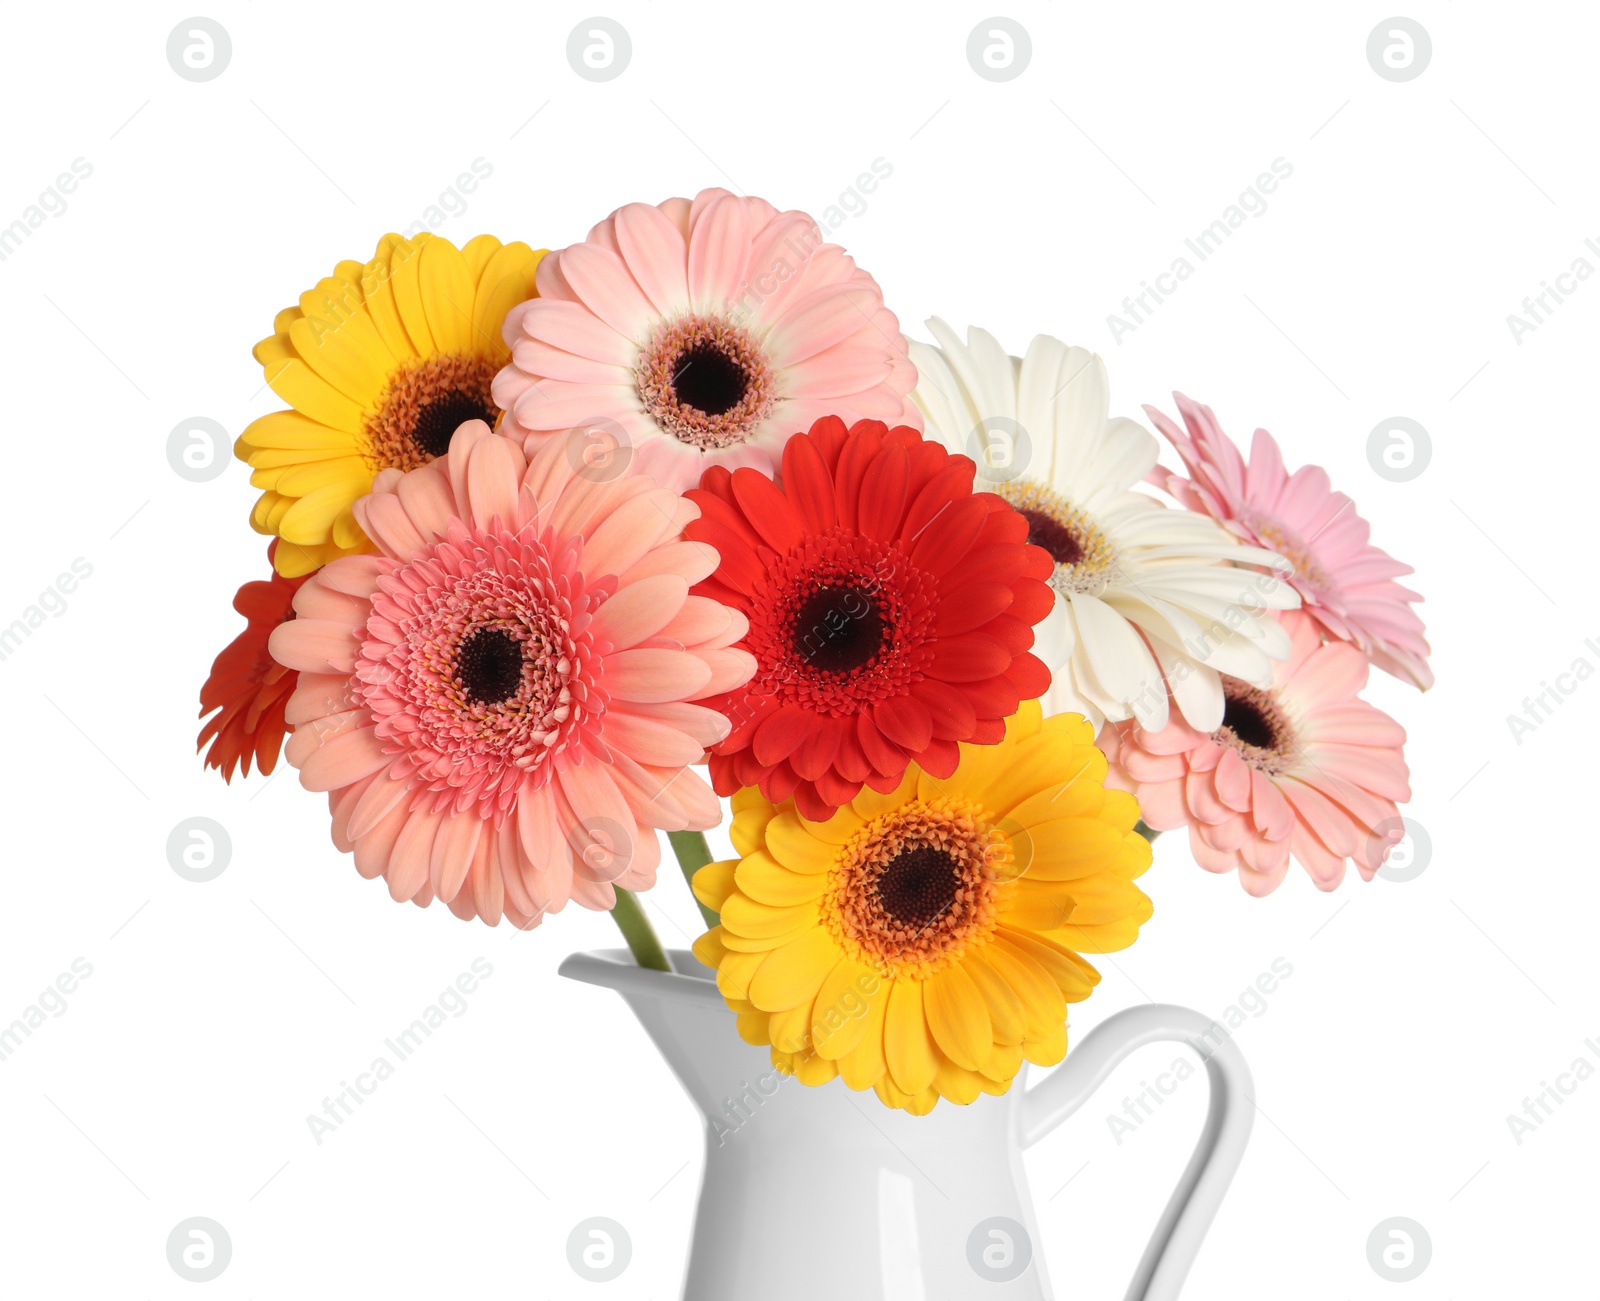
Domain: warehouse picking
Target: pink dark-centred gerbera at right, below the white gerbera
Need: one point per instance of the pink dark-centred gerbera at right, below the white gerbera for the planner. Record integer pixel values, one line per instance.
(1300, 769)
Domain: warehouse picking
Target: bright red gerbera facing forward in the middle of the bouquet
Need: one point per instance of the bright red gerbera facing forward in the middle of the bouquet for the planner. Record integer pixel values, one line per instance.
(890, 610)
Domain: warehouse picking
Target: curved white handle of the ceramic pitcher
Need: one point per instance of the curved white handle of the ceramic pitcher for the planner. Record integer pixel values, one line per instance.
(1217, 1156)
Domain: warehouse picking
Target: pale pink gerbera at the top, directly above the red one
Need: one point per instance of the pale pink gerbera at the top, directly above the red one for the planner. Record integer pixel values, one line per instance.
(703, 334)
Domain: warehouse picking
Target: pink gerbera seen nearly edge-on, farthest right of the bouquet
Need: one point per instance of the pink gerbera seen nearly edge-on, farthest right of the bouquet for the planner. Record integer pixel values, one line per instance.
(1345, 582)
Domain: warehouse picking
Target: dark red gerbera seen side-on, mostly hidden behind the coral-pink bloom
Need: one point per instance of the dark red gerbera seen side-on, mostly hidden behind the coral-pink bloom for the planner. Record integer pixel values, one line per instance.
(247, 691)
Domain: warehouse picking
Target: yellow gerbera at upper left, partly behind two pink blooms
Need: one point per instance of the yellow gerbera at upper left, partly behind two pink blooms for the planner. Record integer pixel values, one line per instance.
(382, 364)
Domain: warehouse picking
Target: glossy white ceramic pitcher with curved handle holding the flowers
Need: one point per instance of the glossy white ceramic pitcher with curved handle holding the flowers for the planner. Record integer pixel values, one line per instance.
(860, 1203)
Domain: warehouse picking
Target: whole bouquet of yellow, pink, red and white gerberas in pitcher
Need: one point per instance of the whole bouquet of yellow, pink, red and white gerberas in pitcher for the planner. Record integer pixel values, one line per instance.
(566, 546)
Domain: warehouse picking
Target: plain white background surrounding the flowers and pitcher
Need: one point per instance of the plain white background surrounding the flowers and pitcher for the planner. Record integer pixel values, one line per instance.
(1377, 284)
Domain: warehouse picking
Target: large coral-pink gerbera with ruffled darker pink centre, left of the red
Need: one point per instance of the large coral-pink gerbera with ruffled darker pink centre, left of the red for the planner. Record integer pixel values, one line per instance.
(498, 703)
